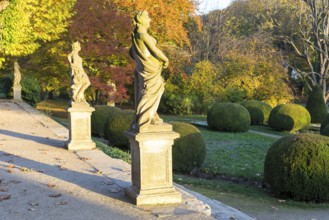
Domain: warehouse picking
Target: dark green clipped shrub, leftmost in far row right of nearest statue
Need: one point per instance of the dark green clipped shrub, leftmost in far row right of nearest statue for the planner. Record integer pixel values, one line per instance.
(228, 117)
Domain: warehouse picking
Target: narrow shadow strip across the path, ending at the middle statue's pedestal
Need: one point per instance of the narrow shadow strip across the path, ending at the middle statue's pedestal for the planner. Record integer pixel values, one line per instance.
(38, 139)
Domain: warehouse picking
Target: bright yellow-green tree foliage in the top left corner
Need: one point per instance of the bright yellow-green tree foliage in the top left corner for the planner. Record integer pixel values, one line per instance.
(27, 23)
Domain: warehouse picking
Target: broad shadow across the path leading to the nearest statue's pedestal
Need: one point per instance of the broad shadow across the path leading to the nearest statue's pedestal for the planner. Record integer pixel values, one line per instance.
(94, 182)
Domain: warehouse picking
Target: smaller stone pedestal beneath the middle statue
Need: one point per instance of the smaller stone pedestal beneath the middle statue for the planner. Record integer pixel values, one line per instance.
(80, 128)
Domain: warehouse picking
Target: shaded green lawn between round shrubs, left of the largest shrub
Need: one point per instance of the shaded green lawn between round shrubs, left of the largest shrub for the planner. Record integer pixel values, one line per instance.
(235, 154)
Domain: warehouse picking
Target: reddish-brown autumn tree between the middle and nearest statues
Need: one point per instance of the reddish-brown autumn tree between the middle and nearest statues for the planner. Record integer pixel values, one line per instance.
(104, 33)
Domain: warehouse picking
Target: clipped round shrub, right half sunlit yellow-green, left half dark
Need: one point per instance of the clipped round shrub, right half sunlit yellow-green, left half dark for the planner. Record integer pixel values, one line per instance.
(289, 117)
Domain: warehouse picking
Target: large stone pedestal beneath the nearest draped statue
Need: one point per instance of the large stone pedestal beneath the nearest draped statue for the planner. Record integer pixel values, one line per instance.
(151, 155)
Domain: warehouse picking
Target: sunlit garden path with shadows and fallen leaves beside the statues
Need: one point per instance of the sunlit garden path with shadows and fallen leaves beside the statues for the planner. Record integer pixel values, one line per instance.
(40, 179)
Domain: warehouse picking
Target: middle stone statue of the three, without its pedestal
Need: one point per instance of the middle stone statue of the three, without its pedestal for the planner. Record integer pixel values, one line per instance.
(79, 78)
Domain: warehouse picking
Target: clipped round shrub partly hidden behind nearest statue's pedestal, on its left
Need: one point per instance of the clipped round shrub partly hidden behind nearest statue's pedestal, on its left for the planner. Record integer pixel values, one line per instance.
(114, 127)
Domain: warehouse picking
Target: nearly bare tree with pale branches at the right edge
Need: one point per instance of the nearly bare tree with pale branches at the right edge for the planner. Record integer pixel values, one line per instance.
(307, 37)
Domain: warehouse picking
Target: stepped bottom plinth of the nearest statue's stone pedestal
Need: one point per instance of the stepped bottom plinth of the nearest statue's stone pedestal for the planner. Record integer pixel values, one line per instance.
(154, 197)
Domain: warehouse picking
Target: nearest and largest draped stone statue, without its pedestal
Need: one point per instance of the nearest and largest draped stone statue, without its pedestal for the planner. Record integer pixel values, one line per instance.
(148, 82)
